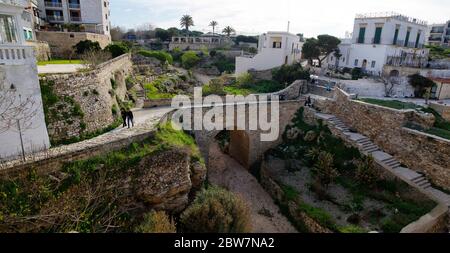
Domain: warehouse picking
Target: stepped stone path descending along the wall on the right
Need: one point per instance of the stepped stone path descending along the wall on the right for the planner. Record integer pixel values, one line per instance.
(387, 161)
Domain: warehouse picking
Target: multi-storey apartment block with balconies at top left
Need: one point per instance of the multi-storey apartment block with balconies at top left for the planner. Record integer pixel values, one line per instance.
(94, 15)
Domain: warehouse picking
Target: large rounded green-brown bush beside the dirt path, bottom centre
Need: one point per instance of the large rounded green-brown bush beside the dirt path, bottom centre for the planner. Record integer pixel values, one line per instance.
(216, 210)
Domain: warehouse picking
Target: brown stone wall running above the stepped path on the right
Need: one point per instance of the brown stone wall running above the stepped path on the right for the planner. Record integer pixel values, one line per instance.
(421, 152)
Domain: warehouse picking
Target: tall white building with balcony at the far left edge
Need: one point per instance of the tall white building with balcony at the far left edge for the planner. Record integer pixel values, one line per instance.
(22, 118)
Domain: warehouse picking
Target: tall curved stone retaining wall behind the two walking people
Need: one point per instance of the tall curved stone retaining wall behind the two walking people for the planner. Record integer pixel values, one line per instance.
(94, 93)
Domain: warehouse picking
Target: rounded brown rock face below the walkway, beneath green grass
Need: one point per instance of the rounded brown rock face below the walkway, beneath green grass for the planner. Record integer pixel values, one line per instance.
(163, 181)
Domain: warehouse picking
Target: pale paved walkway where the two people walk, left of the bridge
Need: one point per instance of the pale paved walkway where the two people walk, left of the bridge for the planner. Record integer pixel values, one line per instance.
(145, 121)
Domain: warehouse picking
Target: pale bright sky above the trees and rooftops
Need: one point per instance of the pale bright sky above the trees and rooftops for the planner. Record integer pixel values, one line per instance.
(253, 17)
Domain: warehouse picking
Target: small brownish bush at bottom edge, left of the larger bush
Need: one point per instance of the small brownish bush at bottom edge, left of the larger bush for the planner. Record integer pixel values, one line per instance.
(156, 222)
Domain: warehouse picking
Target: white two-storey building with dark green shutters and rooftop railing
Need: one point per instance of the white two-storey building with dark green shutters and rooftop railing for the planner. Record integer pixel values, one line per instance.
(380, 39)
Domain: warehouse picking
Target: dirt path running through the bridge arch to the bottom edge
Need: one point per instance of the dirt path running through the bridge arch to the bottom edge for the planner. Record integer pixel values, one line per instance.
(226, 172)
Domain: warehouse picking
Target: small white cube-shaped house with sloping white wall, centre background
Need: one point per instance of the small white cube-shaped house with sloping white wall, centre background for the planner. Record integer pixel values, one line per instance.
(274, 50)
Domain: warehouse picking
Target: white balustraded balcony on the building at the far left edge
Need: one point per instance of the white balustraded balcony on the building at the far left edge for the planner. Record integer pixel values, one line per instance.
(16, 55)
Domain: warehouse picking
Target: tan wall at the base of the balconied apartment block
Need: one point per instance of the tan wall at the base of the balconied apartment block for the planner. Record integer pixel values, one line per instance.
(61, 43)
